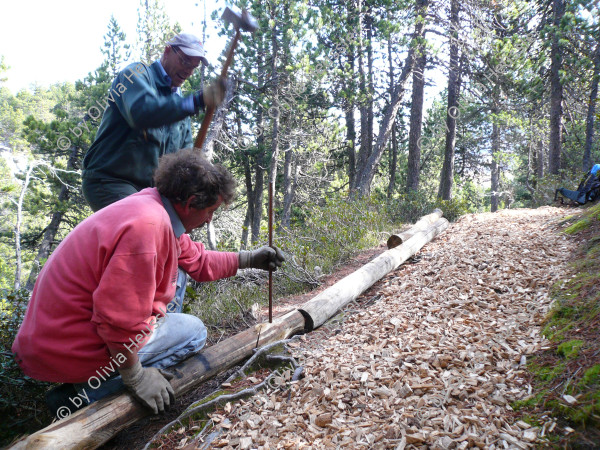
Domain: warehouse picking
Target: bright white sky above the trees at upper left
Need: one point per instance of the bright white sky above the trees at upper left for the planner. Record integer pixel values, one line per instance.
(46, 42)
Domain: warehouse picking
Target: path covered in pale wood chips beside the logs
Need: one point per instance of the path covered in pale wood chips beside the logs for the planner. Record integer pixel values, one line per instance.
(435, 359)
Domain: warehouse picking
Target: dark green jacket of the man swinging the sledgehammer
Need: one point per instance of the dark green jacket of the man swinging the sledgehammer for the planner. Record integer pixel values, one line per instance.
(143, 120)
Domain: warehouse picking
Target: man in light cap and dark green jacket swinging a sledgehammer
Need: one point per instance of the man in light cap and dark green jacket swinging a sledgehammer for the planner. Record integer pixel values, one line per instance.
(146, 118)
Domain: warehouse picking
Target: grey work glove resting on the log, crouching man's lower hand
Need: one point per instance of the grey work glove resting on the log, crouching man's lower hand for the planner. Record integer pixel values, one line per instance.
(149, 385)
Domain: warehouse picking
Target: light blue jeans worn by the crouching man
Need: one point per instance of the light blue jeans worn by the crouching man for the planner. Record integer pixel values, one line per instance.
(176, 337)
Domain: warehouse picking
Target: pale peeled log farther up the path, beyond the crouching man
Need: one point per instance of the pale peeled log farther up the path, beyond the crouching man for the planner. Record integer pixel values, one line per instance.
(318, 310)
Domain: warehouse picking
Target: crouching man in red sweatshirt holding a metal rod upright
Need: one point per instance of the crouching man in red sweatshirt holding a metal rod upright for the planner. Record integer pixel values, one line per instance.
(101, 305)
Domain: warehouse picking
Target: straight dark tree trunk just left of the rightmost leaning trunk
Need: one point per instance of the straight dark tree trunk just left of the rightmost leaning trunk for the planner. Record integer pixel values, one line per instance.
(556, 90)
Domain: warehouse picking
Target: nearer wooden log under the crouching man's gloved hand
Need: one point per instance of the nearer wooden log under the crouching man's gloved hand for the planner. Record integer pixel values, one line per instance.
(96, 424)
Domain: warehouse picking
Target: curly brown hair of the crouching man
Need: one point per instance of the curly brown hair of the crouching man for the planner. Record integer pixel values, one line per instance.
(185, 173)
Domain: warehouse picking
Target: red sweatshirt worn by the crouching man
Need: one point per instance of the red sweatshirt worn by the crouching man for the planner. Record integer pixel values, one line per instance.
(105, 283)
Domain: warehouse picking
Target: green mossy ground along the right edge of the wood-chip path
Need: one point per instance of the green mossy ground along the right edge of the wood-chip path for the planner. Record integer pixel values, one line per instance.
(572, 365)
